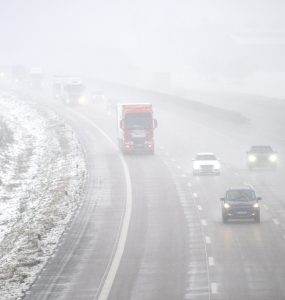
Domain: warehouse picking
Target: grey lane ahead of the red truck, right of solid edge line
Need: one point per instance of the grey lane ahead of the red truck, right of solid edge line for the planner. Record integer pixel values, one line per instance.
(155, 258)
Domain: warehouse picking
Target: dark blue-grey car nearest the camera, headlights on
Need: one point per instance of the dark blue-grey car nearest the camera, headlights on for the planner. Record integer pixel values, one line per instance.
(240, 203)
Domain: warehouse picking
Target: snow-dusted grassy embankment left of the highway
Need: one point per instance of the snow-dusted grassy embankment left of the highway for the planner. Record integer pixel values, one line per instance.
(41, 177)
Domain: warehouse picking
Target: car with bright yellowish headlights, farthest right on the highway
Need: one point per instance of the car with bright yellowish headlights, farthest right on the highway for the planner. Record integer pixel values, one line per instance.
(261, 156)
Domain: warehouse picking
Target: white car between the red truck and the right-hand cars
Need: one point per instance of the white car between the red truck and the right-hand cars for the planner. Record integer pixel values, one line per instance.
(206, 163)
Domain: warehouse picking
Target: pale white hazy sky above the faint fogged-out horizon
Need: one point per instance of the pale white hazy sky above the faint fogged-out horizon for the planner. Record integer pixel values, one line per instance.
(150, 34)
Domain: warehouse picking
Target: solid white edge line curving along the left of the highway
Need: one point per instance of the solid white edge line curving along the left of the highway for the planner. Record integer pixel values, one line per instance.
(120, 247)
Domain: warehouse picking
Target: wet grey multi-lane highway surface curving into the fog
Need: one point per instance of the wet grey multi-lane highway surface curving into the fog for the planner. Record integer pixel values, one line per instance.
(174, 246)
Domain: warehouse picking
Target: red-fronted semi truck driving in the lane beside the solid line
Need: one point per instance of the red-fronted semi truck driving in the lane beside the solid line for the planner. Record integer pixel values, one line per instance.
(136, 127)
